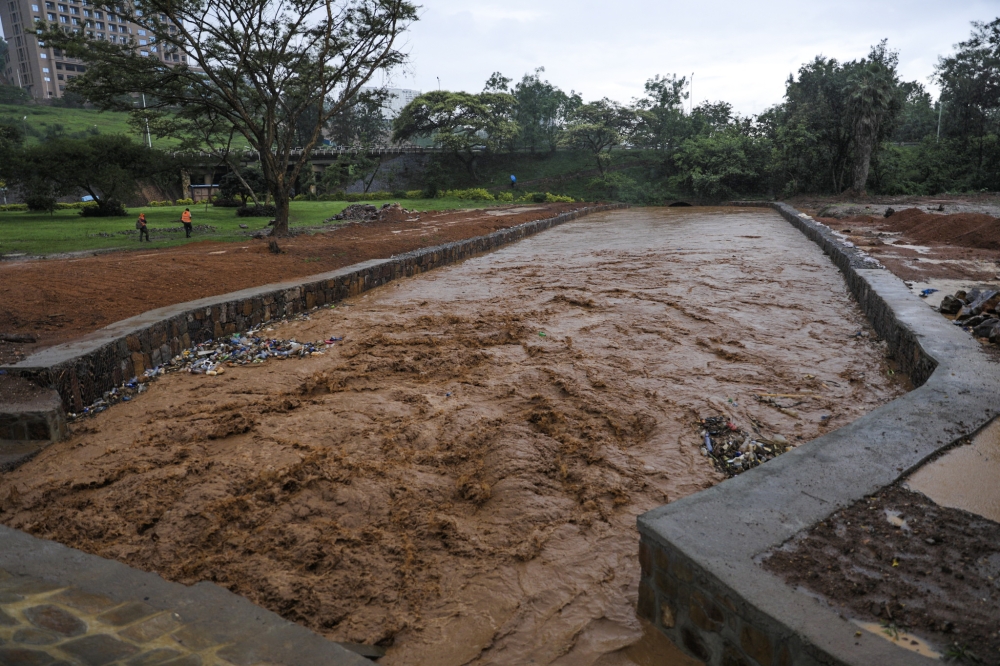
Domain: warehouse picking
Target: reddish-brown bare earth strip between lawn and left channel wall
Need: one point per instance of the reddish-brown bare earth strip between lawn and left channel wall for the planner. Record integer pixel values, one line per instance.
(61, 299)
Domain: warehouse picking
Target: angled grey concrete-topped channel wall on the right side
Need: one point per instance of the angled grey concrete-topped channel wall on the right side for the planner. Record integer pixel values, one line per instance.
(701, 581)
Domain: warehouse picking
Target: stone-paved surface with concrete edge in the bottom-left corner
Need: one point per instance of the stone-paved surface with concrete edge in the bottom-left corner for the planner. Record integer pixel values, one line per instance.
(62, 607)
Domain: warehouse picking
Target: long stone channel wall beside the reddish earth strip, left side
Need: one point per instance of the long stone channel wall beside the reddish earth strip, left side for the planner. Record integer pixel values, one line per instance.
(83, 370)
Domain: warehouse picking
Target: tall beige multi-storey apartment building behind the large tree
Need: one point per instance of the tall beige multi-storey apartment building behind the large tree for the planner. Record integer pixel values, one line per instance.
(44, 71)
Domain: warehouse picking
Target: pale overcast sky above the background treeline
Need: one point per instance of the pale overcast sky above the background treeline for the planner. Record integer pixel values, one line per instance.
(740, 51)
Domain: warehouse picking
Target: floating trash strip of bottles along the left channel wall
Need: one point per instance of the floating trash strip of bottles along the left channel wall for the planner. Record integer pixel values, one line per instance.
(211, 358)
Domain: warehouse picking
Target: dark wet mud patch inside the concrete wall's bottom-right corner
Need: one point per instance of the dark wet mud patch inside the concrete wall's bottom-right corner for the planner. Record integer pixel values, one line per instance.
(899, 563)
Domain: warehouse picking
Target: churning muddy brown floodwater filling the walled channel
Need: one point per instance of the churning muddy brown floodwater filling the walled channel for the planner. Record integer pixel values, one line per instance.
(460, 478)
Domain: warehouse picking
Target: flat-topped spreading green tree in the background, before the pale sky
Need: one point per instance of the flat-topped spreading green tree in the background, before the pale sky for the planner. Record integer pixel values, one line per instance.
(462, 123)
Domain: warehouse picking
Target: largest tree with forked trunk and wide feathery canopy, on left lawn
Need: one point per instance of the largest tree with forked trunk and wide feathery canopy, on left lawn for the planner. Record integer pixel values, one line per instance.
(260, 65)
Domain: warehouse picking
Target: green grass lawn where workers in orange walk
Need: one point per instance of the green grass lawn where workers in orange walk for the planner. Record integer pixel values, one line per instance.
(66, 231)
